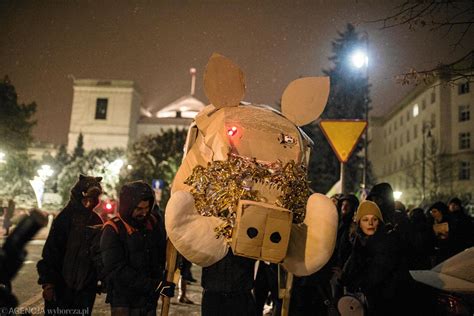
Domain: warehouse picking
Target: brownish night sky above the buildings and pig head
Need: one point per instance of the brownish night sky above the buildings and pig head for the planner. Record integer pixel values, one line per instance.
(43, 44)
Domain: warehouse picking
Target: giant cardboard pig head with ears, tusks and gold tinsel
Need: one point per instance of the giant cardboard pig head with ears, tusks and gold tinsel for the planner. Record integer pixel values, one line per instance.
(243, 181)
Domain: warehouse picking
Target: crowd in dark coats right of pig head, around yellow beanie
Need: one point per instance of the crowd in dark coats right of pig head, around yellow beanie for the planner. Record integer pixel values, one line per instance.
(378, 242)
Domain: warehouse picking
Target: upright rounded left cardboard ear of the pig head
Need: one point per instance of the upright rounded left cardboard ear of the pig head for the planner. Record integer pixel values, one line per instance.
(224, 82)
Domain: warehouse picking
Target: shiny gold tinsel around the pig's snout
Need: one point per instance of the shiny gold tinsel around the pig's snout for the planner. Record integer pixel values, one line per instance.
(218, 188)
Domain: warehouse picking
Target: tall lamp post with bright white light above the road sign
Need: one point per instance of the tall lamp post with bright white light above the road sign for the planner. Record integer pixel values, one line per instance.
(360, 59)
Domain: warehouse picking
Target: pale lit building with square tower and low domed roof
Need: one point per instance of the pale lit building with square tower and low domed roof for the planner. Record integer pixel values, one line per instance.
(110, 114)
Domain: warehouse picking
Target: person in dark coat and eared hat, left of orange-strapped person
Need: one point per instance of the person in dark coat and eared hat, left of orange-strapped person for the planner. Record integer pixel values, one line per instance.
(66, 270)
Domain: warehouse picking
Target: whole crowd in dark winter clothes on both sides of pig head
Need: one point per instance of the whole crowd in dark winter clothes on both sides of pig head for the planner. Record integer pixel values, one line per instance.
(378, 242)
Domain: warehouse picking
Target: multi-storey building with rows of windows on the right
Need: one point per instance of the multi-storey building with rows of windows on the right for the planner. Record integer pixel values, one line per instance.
(424, 146)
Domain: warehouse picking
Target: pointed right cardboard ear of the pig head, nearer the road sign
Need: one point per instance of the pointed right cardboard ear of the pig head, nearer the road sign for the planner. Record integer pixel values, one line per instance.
(305, 99)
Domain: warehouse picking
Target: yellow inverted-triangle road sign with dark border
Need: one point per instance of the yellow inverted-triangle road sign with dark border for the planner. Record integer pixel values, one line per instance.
(343, 135)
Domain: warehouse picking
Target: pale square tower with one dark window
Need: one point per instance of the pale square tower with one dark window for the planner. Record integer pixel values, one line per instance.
(106, 112)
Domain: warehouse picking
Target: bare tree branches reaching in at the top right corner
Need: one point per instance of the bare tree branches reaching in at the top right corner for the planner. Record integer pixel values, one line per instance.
(448, 16)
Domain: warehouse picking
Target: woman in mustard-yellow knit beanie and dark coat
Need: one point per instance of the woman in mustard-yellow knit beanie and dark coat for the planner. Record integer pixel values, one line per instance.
(376, 266)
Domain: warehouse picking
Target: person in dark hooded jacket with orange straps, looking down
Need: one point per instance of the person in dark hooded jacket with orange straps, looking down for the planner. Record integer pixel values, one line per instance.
(133, 248)
